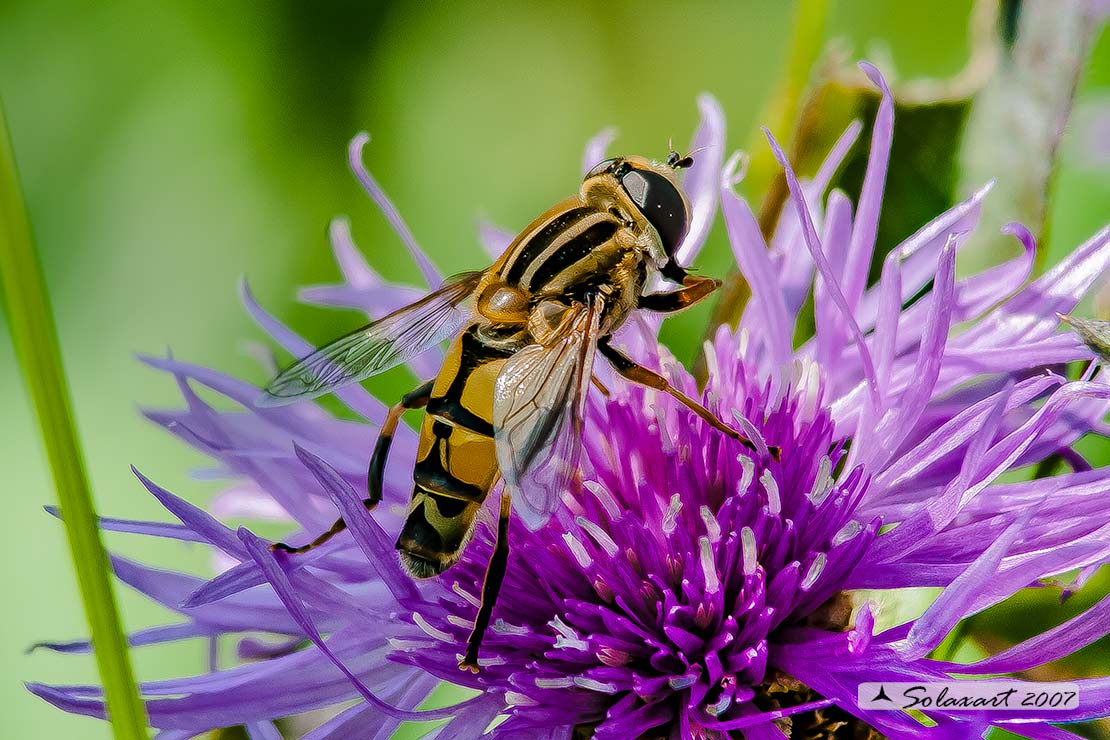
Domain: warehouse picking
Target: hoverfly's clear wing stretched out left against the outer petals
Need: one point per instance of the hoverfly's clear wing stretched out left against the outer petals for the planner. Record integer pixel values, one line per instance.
(376, 348)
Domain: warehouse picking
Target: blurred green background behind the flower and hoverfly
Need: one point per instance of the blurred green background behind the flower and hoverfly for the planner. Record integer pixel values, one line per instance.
(168, 149)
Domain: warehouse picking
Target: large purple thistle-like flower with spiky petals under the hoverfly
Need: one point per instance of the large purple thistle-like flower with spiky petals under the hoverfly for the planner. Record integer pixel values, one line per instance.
(689, 590)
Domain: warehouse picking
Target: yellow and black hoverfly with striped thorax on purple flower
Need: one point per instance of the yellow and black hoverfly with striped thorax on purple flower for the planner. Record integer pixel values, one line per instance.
(510, 398)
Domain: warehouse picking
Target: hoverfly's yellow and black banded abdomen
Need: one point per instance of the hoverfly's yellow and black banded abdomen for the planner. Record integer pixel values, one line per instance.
(457, 461)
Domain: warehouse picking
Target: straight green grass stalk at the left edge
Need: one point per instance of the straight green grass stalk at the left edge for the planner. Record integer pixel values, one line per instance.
(33, 331)
